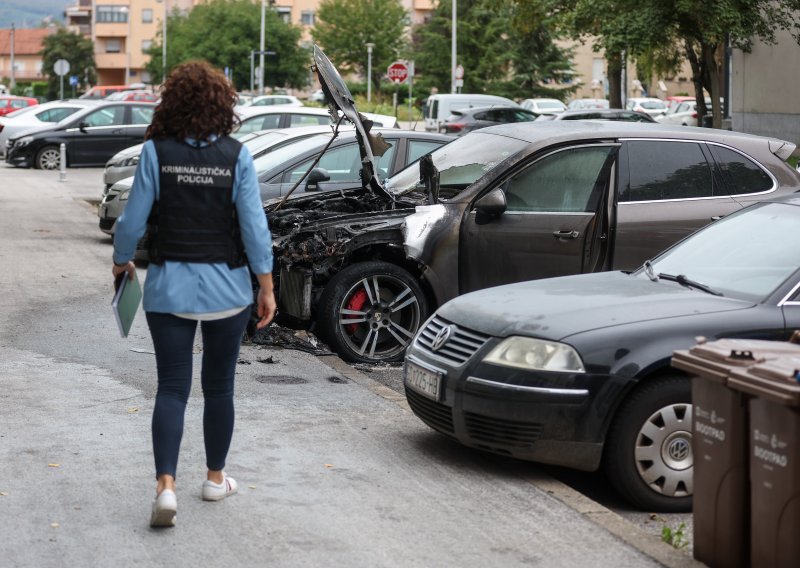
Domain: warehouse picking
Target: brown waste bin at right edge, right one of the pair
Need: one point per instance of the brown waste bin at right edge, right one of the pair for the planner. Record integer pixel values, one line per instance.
(774, 452)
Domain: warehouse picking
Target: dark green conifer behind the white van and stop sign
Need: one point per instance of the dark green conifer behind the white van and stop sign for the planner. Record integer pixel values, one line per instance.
(502, 52)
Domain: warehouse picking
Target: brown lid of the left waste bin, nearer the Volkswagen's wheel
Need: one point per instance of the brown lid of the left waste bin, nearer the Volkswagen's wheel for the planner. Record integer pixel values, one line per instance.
(715, 360)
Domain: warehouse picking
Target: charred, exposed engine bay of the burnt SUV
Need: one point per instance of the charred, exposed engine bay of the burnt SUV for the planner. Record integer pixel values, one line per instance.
(318, 232)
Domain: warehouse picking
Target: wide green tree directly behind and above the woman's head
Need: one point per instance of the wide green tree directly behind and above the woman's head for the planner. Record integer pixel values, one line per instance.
(224, 32)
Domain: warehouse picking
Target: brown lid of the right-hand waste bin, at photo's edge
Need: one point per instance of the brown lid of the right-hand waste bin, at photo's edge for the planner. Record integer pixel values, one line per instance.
(774, 380)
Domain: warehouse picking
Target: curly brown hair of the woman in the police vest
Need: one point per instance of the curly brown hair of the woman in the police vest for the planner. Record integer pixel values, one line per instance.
(196, 102)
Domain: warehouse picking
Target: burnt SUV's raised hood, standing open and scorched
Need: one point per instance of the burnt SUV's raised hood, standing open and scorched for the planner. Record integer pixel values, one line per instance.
(342, 100)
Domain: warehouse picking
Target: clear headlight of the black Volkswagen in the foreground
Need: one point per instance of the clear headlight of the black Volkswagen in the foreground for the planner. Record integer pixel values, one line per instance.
(535, 354)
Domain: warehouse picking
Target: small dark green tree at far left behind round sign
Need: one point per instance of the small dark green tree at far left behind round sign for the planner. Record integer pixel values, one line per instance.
(77, 50)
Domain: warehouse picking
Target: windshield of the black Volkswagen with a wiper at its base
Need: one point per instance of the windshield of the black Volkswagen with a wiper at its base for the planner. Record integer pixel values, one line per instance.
(746, 255)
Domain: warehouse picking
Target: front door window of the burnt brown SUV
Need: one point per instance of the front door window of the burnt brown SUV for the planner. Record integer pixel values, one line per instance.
(564, 181)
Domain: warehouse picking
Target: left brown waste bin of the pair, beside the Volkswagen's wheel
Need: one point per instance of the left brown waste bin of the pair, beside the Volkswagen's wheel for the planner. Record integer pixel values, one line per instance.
(720, 503)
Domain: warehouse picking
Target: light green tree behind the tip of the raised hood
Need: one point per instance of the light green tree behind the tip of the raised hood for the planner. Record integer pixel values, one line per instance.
(344, 27)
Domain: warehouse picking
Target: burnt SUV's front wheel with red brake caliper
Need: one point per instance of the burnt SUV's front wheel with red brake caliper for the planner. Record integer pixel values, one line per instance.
(386, 306)
